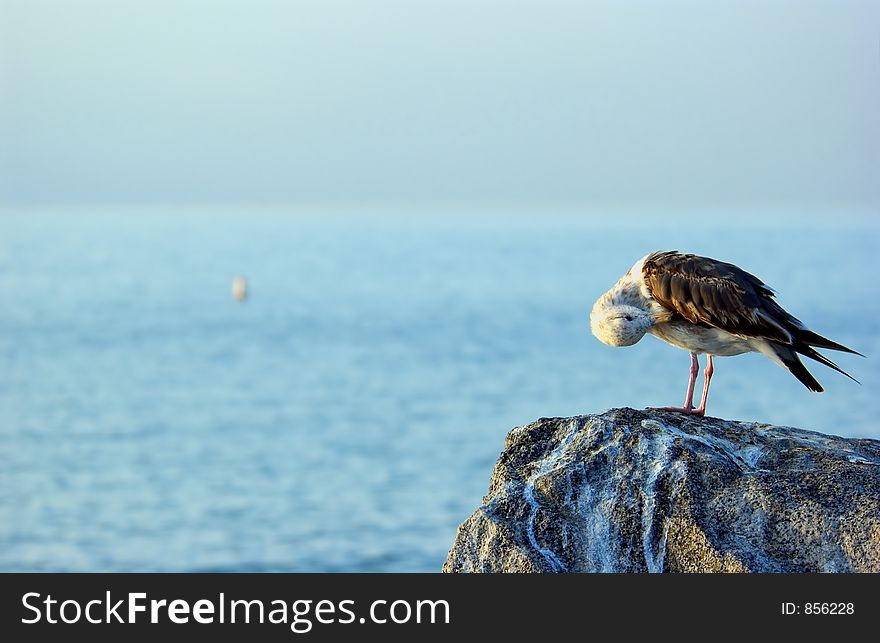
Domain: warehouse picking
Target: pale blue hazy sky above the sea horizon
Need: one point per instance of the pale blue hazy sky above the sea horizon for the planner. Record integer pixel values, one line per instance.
(482, 101)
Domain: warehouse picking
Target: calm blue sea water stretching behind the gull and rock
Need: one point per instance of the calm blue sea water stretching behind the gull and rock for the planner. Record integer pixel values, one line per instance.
(346, 417)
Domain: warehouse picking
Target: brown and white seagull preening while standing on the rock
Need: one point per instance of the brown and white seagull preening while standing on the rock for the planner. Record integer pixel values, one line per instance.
(703, 305)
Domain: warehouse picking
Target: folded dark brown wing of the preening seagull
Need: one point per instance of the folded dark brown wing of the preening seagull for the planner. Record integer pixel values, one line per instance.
(714, 293)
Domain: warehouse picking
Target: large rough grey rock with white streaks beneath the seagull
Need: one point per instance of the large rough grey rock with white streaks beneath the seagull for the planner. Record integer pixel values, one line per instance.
(652, 491)
